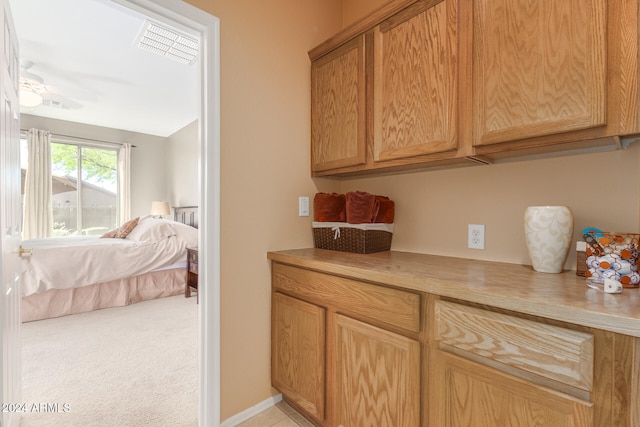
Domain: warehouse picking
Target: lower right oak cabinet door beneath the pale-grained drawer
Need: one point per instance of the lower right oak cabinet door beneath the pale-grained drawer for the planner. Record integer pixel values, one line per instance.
(473, 395)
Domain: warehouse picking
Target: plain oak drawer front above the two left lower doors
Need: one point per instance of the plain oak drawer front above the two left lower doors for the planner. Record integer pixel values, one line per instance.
(377, 303)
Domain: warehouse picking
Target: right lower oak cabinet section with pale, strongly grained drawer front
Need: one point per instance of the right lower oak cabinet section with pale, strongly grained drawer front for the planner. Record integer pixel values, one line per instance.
(491, 368)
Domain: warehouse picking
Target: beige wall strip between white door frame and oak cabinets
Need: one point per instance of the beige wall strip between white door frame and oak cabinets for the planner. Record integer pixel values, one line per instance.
(265, 108)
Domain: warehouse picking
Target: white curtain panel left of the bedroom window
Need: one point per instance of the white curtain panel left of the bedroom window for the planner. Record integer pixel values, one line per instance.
(38, 212)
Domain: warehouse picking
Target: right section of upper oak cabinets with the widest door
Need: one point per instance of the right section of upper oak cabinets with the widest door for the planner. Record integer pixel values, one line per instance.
(548, 73)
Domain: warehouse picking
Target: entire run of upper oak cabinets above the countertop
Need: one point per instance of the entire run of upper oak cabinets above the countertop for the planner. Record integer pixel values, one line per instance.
(434, 83)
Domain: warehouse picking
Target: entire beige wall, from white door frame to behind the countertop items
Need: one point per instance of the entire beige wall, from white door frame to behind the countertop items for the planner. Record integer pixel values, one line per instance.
(265, 110)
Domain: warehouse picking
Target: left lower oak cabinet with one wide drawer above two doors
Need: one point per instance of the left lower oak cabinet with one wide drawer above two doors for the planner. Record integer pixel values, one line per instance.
(354, 342)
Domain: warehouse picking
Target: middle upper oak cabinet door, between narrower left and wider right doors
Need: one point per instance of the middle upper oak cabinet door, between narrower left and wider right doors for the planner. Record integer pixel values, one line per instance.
(415, 82)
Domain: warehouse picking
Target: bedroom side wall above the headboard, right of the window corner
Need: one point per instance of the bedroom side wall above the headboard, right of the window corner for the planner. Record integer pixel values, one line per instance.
(182, 166)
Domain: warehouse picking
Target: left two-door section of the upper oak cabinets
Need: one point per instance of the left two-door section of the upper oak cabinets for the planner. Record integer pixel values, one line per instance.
(401, 108)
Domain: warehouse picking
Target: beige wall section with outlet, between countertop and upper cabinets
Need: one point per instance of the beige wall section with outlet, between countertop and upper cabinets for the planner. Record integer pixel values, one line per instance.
(433, 209)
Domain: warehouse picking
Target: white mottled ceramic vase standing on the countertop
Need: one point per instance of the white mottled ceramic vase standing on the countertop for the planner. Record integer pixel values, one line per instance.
(548, 231)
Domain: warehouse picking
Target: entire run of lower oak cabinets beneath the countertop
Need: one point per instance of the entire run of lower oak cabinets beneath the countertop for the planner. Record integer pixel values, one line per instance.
(349, 352)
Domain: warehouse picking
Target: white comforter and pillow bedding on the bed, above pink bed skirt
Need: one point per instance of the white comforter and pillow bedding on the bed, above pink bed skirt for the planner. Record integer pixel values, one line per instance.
(69, 262)
